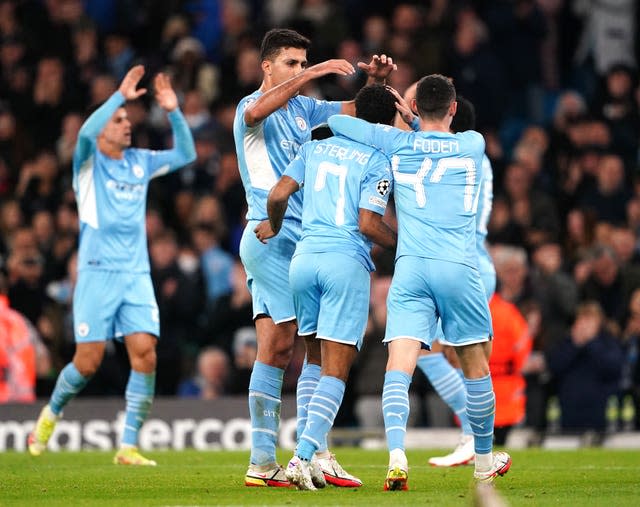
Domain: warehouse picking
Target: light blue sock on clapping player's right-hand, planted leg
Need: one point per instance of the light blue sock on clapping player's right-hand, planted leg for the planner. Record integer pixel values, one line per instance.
(139, 396)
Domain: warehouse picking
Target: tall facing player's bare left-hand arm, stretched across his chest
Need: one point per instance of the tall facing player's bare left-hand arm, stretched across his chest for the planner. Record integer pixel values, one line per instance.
(278, 96)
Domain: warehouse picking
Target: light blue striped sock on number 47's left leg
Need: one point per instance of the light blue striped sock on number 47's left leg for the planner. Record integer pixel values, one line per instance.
(395, 407)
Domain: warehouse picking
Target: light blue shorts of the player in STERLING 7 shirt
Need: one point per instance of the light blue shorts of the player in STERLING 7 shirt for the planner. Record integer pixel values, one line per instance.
(331, 296)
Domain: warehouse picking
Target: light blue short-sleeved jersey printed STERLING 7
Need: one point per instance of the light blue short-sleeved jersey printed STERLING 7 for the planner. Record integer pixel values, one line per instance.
(338, 178)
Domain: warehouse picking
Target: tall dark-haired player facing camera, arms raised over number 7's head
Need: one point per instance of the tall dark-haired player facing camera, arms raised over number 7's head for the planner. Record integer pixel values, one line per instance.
(270, 126)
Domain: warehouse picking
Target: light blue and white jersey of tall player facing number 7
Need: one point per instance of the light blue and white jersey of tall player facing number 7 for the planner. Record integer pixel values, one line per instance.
(265, 150)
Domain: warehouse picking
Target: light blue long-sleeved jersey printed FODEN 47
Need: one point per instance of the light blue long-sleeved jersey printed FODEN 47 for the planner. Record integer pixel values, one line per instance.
(436, 186)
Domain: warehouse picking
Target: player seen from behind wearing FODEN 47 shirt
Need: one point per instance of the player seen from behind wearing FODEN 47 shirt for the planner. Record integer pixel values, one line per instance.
(436, 178)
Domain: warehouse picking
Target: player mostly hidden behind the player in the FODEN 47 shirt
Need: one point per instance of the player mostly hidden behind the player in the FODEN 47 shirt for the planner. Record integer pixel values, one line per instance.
(444, 377)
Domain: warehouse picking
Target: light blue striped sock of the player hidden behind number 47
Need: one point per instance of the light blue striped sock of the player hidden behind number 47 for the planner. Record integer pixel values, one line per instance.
(448, 383)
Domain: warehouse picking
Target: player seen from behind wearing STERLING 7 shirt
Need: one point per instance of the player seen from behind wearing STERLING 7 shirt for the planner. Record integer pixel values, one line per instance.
(346, 186)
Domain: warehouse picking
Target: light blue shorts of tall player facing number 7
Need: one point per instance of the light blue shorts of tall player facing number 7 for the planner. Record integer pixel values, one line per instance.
(267, 267)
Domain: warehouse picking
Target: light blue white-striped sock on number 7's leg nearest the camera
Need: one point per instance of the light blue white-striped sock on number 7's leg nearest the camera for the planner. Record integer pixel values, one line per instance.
(323, 407)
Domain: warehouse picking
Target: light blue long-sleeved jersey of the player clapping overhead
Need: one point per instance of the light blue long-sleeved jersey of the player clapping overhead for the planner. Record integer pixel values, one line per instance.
(111, 193)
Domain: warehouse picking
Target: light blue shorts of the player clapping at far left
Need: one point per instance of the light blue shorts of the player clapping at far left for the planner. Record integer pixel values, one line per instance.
(112, 304)
